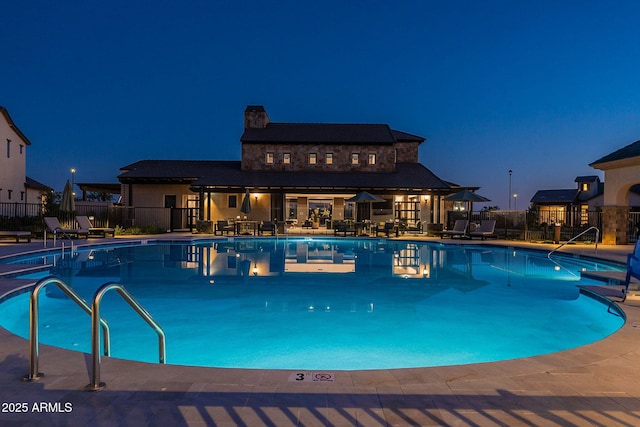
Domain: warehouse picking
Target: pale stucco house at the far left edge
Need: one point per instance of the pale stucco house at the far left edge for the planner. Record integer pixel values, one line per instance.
(15, 186)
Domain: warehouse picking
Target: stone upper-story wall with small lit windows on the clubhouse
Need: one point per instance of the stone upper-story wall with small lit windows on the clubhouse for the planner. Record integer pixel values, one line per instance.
(254, 156)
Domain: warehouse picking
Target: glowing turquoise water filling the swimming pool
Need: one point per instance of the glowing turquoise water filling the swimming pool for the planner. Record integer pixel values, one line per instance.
(323, 303)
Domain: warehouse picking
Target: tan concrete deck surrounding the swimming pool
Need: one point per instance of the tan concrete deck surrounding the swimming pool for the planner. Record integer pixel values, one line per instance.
(595, 384)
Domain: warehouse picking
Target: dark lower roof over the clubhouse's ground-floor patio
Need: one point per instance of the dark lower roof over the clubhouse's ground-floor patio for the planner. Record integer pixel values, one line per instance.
(228, 174)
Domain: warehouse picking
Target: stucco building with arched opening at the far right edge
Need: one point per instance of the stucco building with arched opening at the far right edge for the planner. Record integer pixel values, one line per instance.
(622, 175)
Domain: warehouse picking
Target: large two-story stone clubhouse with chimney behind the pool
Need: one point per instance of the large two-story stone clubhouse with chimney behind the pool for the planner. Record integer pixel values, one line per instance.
(295, 171)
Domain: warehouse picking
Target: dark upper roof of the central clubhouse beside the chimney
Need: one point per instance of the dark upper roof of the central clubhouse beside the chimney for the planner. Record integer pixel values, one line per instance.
(326, 133)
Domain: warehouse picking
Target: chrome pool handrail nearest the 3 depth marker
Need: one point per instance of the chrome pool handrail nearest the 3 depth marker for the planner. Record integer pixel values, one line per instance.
(95, 330)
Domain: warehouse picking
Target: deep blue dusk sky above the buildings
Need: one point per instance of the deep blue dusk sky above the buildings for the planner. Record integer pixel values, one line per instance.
(542, 88)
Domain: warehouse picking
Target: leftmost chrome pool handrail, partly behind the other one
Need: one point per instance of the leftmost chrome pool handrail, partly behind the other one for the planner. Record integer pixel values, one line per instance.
(34, 329)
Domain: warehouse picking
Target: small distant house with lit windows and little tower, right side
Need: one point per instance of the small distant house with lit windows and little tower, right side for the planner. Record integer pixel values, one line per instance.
(569, 206)
